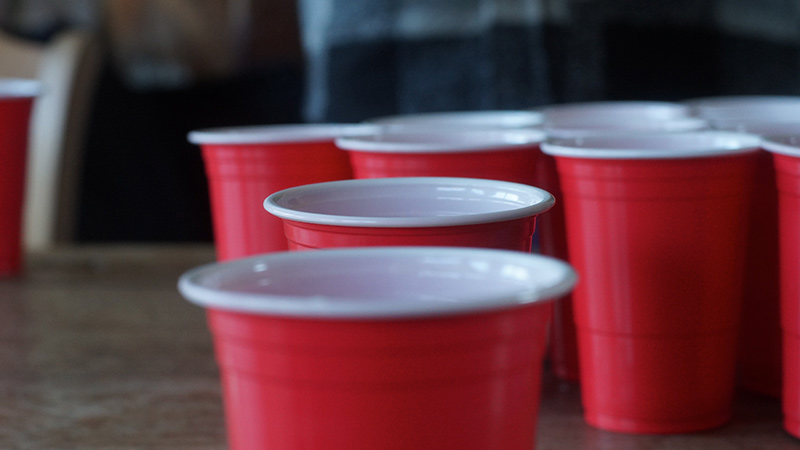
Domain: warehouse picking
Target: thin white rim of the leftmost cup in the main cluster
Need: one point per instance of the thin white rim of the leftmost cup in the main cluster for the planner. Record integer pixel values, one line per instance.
(266, 134)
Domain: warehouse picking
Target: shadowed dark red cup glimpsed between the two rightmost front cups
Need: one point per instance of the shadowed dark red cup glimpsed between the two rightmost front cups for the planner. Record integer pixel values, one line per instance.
(760, 341)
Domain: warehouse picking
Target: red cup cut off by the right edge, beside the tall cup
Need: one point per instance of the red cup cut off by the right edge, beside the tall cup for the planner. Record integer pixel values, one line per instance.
(786, 154)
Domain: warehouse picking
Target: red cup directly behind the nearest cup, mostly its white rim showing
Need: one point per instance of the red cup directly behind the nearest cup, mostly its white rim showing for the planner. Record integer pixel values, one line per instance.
(436, 211)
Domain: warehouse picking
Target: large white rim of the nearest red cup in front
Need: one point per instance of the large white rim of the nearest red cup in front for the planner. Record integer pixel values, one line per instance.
(362, 283)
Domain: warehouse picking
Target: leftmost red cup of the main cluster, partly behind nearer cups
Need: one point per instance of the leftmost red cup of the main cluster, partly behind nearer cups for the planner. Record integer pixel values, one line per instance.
(245, 165)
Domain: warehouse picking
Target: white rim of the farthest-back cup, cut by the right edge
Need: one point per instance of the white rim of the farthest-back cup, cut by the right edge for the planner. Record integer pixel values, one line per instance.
(748, 107)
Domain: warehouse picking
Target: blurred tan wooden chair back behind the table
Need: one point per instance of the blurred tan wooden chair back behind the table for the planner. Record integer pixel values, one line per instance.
(68, 67)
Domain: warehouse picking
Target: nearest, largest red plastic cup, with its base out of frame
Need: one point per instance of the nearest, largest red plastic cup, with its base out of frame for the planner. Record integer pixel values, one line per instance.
(384, 347)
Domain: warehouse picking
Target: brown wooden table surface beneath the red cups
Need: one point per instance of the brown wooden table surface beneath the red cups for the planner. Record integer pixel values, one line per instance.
(99, 351)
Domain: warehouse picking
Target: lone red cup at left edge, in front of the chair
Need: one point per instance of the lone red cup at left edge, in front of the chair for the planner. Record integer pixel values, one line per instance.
(16, 102)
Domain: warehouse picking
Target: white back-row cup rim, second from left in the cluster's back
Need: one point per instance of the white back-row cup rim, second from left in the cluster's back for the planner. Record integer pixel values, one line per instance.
(501, 119)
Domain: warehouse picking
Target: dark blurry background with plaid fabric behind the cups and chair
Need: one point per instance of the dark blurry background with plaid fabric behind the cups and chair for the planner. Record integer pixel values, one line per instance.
(177, 65)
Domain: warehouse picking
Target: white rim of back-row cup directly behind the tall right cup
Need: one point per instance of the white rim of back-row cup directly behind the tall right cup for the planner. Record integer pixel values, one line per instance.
(615, 110)
